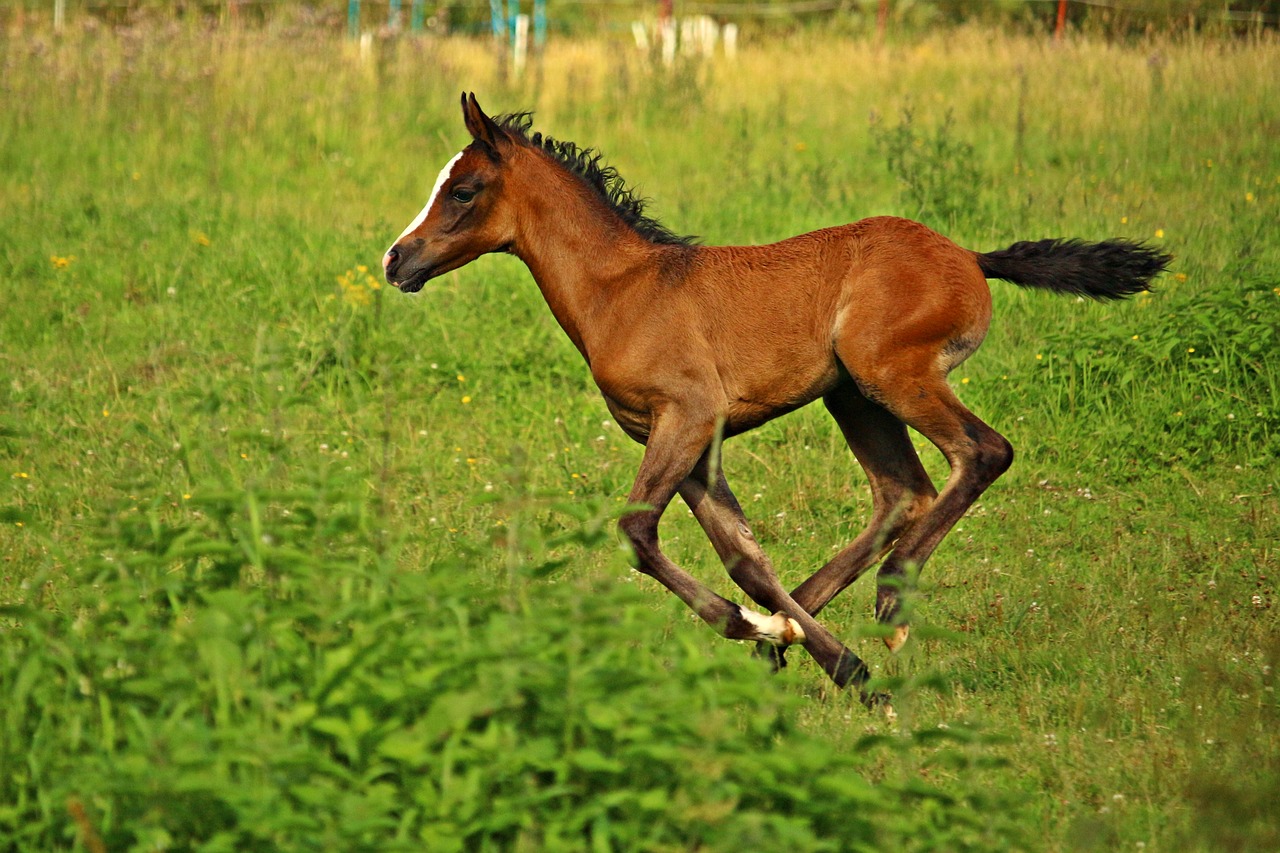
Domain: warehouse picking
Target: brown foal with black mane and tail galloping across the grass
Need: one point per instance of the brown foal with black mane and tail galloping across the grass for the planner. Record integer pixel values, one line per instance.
(692, 345)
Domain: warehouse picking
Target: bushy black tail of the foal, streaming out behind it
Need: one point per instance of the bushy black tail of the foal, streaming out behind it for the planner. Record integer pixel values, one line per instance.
(1108, 271)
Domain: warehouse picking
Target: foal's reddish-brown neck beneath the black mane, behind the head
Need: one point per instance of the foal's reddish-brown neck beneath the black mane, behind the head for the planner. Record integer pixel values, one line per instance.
(580, 254)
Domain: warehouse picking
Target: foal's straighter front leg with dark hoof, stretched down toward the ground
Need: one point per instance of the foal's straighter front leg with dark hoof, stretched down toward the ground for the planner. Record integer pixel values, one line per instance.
(720, 514)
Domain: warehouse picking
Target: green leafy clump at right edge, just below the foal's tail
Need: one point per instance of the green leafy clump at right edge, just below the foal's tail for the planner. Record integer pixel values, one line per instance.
(1206, 348)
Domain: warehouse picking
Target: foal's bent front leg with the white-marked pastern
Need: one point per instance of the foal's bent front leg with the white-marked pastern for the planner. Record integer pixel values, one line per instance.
(674, 448)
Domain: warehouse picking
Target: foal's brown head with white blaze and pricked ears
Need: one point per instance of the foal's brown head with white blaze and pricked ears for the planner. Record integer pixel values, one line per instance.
(467, 215)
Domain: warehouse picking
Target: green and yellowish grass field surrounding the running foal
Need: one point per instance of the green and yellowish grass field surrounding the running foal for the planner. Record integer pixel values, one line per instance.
(291, 562)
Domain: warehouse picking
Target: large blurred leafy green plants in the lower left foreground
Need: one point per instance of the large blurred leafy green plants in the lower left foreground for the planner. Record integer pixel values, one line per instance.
(259, 673)
